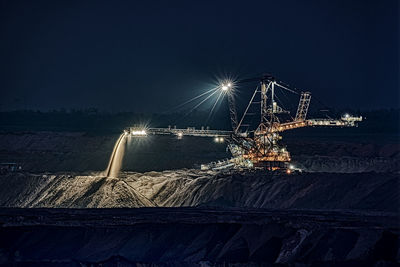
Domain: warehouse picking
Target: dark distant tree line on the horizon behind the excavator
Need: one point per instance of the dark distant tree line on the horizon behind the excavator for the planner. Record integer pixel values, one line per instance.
(95, 121)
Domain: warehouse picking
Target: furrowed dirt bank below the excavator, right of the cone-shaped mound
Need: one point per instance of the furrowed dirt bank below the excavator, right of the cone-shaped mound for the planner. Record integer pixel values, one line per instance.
(259, 190)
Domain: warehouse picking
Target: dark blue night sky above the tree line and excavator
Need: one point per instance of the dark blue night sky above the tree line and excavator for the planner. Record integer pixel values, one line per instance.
(152, 55)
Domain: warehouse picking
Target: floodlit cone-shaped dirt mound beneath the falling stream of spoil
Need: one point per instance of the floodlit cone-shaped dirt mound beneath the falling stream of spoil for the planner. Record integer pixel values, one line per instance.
(67, 191)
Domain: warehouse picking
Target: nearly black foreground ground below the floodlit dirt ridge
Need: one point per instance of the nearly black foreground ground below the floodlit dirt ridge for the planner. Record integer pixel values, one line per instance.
(197, 237)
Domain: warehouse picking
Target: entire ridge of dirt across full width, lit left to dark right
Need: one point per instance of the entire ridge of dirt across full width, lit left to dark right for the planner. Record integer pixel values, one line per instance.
(366, 191)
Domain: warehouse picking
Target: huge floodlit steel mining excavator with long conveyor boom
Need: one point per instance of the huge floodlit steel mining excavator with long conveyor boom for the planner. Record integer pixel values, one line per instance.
(257, 145)
